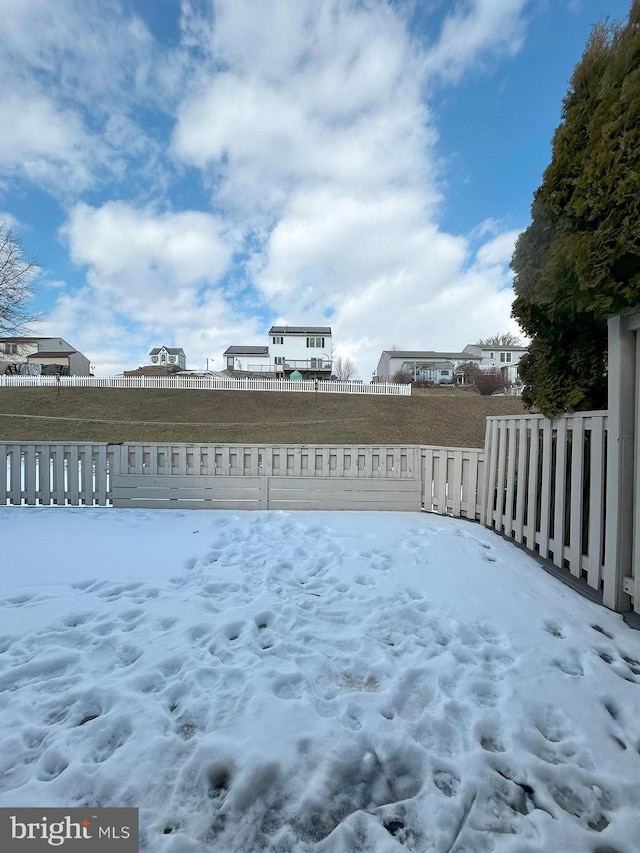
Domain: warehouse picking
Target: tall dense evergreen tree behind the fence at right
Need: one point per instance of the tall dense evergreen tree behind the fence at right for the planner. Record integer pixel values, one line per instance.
(578, 263)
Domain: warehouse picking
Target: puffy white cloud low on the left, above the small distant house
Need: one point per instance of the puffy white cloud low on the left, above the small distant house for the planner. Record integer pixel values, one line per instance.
(152, 278)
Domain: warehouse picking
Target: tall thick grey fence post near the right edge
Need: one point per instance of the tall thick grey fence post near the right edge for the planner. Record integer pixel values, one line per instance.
(620, 467)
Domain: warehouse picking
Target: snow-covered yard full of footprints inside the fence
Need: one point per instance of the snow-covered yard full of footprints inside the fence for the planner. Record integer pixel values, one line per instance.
(312, 682)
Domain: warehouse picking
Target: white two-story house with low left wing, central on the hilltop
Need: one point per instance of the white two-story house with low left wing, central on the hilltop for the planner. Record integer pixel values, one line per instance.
(305, 349)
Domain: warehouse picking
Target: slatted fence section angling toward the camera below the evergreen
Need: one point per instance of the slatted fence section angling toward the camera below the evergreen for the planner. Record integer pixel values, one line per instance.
(540, 492)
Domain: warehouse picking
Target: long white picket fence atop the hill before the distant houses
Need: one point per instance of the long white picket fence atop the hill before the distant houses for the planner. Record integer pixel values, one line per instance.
(208, 383)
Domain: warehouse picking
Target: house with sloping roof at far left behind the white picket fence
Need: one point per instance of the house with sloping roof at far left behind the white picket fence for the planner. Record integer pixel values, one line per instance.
(42, 355)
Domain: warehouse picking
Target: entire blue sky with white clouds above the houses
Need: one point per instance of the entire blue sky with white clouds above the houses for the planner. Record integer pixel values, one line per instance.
(189, 173)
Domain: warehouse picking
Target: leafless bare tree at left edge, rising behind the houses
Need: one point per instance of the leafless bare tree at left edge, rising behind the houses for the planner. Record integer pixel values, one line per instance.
(16, 279)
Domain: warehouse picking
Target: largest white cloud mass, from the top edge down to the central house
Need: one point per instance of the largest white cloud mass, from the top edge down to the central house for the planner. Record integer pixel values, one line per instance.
(318, 119)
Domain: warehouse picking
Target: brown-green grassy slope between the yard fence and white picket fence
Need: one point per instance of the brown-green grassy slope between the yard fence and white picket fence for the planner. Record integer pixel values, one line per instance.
(450, 417)
